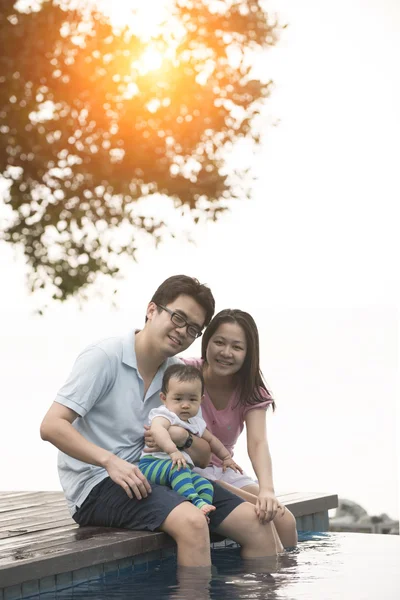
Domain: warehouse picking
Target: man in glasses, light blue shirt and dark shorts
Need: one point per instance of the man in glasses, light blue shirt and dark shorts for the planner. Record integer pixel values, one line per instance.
(97, 424)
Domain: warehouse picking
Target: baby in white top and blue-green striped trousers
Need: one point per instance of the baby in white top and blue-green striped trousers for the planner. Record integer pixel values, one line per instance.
(181, 394)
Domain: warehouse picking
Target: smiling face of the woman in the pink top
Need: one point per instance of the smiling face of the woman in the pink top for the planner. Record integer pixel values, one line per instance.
(226, 349)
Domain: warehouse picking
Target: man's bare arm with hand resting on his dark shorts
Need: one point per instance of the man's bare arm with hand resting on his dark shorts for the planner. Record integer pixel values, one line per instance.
(57, 429)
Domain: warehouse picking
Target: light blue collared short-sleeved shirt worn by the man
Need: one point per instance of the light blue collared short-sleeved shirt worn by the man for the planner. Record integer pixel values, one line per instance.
(106, 390)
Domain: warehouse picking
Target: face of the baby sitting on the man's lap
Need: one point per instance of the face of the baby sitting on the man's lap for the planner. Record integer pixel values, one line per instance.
(183, 398)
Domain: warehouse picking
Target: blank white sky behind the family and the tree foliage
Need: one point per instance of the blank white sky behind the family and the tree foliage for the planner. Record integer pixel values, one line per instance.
(313, 256)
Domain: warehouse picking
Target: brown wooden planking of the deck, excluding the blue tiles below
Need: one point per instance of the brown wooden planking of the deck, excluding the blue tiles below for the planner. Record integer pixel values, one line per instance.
(38, 537)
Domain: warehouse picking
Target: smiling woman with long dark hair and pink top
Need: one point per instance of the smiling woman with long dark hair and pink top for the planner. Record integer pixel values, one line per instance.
(235, 393)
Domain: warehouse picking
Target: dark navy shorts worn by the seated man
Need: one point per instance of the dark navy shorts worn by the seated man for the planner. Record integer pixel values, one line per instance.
(108, 505)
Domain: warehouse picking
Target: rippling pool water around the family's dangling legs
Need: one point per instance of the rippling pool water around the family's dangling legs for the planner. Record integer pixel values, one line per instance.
(325, 566)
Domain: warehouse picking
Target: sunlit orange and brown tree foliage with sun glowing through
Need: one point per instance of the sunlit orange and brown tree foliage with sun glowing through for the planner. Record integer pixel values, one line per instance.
(87, 129)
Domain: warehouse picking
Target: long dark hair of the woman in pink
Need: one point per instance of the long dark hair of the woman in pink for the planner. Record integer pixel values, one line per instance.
(250, 377)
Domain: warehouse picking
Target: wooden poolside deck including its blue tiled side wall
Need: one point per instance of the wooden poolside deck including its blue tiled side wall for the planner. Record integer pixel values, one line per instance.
(42, 548)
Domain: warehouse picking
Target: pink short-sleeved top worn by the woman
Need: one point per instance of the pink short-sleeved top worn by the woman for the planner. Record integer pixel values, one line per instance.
(226, 424)
